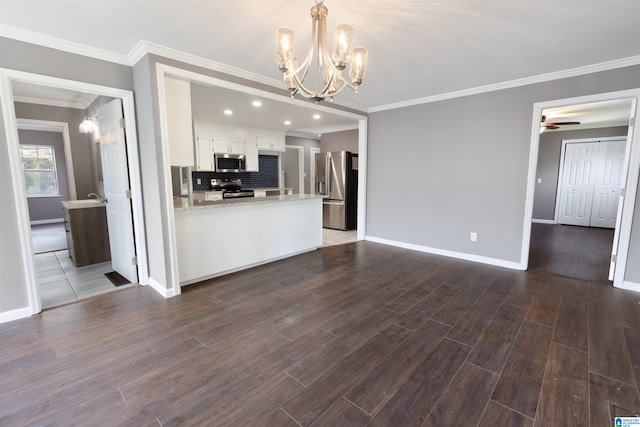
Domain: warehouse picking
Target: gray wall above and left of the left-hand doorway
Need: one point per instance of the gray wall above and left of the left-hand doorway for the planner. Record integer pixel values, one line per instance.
(38, 60)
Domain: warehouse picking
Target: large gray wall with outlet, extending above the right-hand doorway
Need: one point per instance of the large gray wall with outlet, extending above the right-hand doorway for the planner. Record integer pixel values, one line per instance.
(454, 171)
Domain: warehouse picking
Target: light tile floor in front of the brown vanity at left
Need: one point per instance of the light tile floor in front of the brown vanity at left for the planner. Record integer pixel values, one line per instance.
(60, 282)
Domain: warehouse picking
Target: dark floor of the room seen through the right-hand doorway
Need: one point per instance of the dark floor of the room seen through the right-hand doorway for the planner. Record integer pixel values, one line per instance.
(572, 251)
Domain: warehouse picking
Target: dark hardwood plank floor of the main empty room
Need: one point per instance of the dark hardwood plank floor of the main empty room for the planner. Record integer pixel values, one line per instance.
(351, 335)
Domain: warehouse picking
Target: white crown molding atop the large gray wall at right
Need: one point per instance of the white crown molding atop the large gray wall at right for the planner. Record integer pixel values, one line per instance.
(541, 78)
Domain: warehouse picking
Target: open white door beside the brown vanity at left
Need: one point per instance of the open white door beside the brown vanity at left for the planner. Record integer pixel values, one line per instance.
(117, 191)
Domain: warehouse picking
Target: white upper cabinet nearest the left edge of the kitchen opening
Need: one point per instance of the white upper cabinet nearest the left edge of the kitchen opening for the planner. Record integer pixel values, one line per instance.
(179, 125)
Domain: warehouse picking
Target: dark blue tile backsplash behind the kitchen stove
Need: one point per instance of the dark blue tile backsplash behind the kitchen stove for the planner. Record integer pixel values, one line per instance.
(266, 177)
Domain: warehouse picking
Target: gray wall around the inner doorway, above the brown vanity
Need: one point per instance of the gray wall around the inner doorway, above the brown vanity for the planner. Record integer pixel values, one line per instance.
(80, 142)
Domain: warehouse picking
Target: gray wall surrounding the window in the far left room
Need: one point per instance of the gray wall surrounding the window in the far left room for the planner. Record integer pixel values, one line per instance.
(49, 207)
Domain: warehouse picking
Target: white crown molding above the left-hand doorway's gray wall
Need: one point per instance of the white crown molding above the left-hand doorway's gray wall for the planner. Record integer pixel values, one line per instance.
(64, 45)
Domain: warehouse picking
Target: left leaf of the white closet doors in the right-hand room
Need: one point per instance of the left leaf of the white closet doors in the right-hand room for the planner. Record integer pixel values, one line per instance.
(576, 194)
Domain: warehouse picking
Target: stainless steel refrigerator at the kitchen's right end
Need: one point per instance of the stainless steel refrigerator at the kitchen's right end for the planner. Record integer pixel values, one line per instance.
(337, 180)
